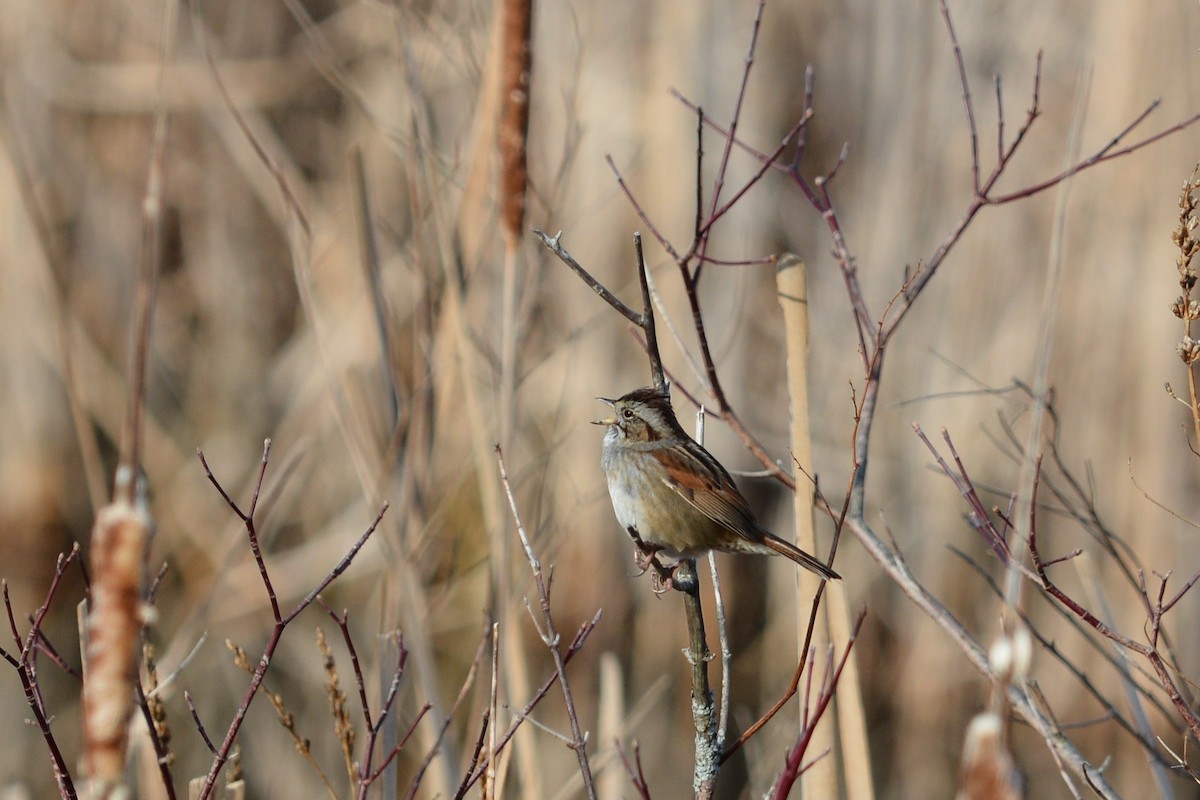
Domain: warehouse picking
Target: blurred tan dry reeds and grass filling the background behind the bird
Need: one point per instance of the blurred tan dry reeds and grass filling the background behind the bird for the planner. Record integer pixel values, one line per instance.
(239, 358)
